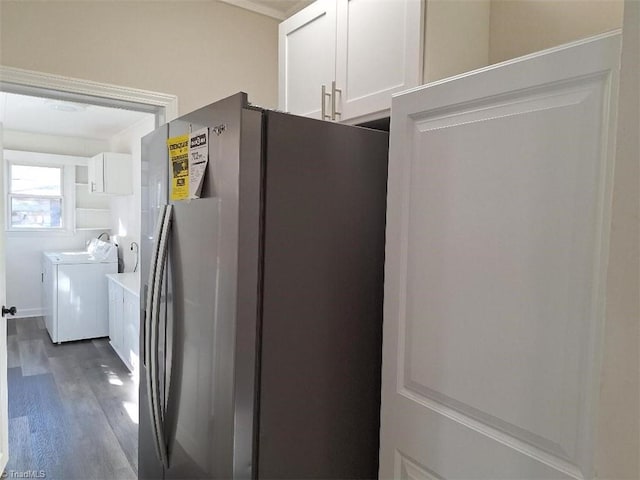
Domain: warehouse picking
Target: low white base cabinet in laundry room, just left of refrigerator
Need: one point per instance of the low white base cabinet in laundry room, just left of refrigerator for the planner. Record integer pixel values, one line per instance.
(124, 324)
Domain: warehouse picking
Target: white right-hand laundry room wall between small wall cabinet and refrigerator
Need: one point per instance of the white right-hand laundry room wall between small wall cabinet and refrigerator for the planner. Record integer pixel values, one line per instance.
(125, 209)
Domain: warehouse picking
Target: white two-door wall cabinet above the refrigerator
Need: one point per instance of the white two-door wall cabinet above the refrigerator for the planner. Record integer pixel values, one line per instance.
(343, 59)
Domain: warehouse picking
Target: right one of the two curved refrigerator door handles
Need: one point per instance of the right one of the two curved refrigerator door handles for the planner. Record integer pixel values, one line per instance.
(155, 397)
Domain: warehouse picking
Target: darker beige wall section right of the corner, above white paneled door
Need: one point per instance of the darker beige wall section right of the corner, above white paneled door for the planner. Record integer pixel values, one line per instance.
(519, 27)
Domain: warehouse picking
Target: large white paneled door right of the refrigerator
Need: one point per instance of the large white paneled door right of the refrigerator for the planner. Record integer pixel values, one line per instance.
(498, 222)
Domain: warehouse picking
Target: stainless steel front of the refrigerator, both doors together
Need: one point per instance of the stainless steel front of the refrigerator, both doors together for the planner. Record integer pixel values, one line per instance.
(207, 385)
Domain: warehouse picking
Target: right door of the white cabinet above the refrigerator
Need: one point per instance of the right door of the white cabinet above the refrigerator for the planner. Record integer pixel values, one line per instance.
(378, 53)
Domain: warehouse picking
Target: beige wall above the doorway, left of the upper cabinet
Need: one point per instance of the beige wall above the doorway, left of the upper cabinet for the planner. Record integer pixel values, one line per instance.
(198, 50)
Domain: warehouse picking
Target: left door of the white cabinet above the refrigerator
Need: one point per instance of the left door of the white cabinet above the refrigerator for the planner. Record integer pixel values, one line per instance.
(306, 58)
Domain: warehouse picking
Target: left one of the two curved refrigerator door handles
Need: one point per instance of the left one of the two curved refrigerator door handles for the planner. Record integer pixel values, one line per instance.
(149, 318)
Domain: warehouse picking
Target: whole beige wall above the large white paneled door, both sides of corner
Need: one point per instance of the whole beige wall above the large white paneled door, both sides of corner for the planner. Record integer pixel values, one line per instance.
(462, 35)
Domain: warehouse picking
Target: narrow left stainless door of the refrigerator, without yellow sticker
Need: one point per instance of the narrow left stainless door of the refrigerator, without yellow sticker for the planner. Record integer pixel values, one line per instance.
(155, 174)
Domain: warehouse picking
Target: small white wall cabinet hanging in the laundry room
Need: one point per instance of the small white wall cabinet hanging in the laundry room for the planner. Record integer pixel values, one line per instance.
(110, 173)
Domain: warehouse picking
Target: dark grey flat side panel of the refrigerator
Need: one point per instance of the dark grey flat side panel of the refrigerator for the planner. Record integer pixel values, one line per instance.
(324, 216)
